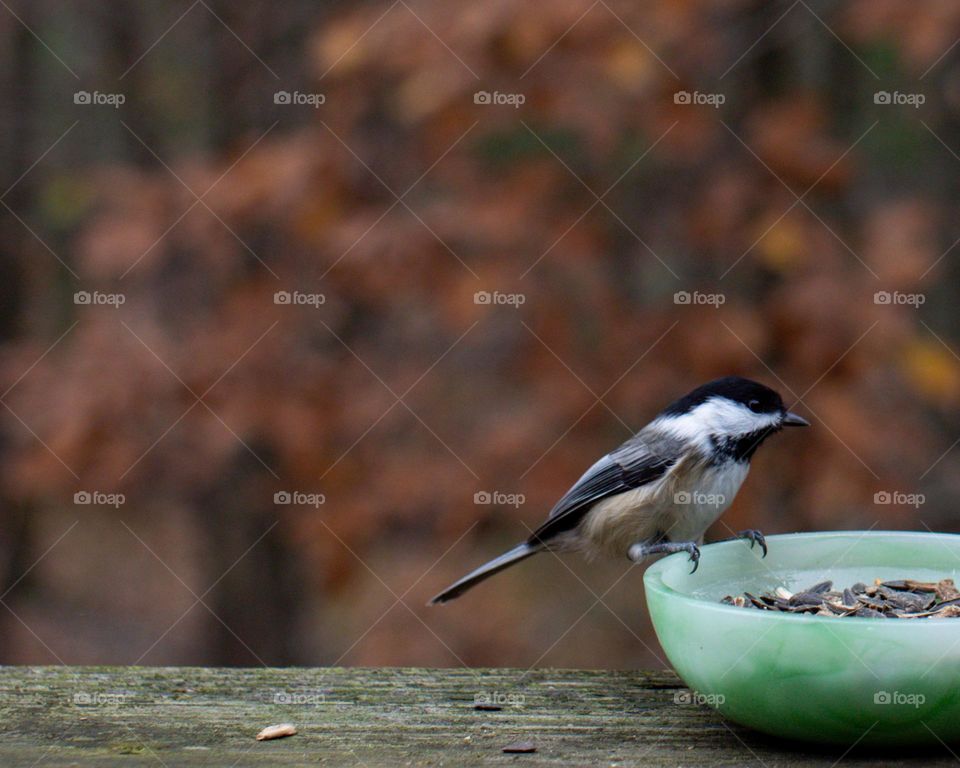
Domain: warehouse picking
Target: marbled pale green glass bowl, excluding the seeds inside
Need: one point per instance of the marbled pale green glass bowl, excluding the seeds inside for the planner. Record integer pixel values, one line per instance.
(834, 680)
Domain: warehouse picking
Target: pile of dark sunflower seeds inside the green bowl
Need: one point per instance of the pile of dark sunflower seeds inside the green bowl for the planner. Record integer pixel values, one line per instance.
(900, 599)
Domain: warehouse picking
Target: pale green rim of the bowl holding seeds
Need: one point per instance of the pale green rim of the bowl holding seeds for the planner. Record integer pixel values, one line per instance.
(653, 579)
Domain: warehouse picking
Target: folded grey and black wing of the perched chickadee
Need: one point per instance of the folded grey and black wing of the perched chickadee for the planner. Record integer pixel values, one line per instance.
(639, 461)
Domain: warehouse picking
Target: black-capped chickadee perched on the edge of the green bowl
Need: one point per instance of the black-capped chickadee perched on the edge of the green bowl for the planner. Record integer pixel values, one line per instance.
(659, 491)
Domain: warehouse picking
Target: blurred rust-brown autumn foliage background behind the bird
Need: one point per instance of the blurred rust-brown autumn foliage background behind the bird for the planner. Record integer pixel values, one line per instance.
(399, 396)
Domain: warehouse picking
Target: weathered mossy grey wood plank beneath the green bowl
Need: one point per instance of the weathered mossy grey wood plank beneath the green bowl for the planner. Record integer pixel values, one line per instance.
(190, 716)
